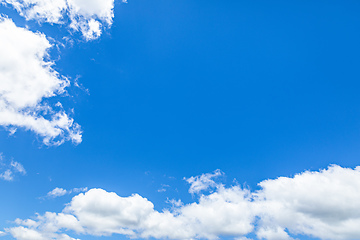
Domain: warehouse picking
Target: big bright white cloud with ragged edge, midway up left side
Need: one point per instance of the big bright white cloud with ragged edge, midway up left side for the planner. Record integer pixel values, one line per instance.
(27, 79)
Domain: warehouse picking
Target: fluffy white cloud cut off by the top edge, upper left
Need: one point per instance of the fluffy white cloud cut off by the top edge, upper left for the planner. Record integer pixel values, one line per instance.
(86, 16)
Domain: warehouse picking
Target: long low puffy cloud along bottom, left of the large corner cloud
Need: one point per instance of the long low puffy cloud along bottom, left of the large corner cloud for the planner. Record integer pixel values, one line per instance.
(101, 213)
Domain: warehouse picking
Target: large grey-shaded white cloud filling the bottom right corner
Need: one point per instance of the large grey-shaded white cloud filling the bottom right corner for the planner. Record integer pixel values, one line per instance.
(324, 204)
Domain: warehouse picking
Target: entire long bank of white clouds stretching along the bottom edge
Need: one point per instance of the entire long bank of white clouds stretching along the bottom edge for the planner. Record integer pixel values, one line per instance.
(322, 204)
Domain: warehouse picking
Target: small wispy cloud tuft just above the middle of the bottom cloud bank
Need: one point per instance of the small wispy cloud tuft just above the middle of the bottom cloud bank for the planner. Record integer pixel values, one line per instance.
(203, 182)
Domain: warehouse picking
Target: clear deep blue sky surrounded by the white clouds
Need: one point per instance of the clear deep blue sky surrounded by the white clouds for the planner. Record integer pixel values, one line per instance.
(258, 89)
